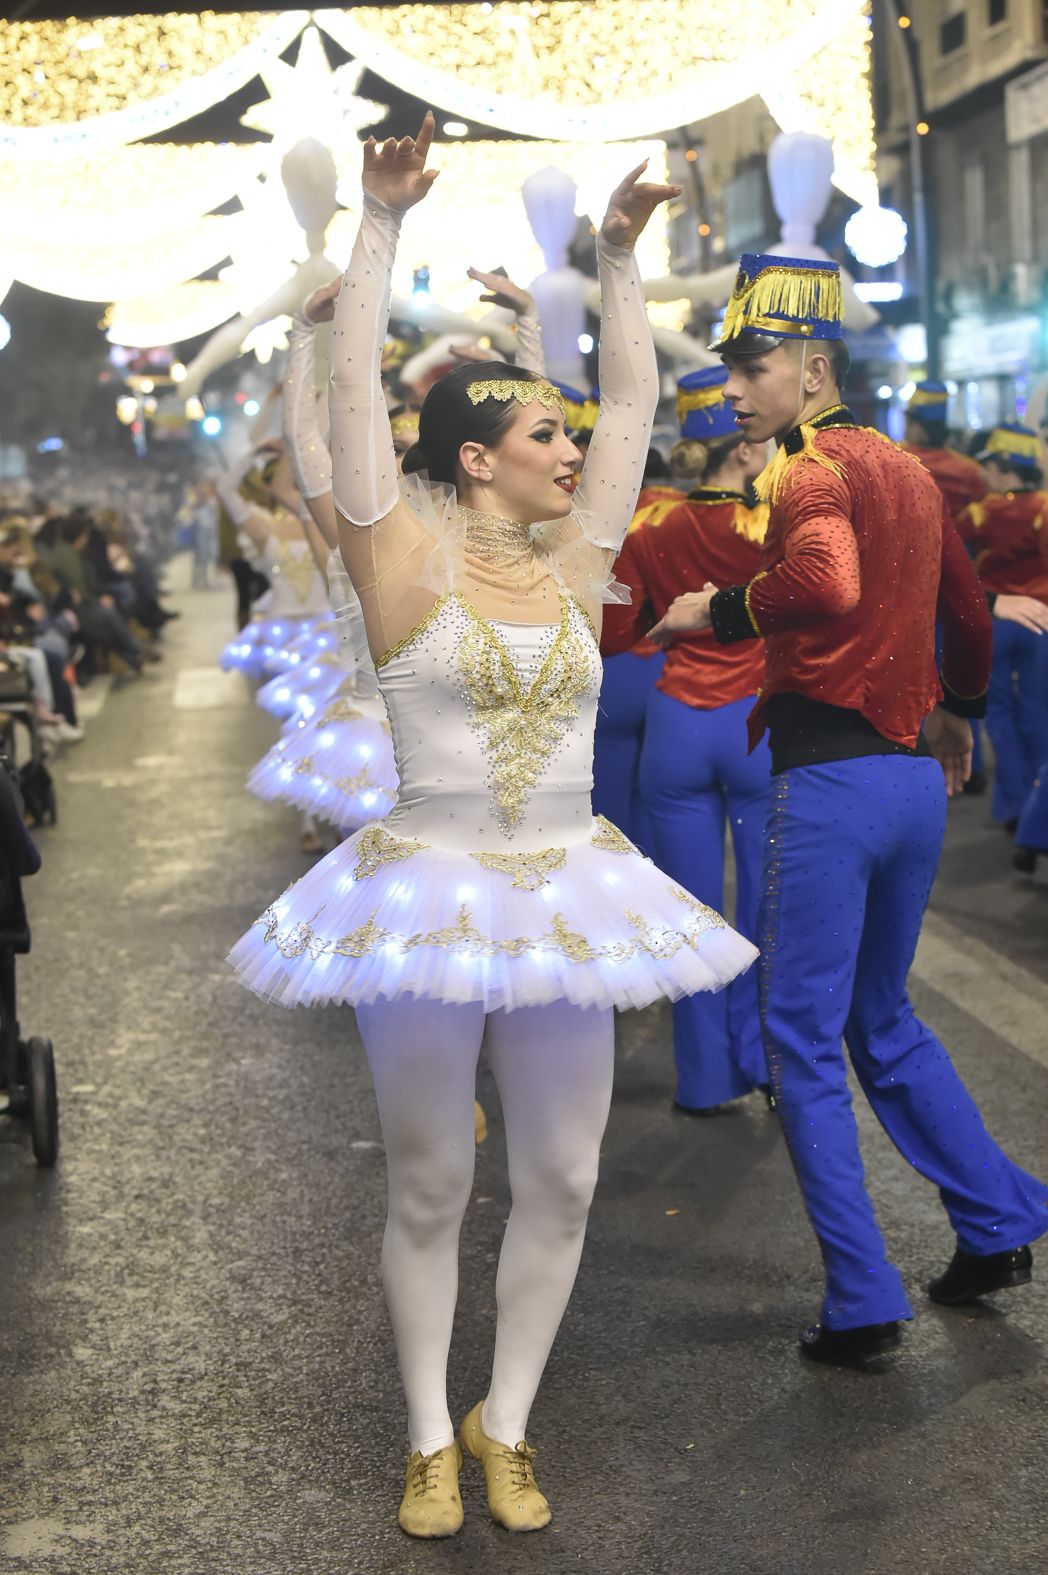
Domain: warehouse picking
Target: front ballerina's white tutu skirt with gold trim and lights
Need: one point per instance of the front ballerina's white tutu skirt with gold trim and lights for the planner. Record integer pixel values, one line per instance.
(593, 924)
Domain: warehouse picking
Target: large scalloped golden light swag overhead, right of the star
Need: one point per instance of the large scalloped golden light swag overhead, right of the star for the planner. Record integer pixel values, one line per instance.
(510, 64)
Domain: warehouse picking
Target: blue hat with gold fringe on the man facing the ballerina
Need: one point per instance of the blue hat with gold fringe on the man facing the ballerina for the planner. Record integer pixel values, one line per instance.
(778, 298)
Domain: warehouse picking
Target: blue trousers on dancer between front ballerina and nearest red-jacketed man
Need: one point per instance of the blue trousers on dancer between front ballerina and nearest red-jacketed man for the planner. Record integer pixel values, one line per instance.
(697, 779)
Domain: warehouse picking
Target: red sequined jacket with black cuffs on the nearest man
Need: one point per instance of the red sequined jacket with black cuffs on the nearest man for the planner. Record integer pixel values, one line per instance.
(860, 557)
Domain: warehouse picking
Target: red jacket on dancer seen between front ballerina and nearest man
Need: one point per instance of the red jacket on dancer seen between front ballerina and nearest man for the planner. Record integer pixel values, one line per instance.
(713, 536)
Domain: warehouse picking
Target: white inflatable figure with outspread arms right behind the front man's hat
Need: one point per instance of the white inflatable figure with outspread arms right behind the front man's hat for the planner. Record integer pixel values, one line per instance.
(801, 169)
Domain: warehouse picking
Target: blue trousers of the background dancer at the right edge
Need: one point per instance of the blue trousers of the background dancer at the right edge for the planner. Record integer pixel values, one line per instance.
(1017, 717)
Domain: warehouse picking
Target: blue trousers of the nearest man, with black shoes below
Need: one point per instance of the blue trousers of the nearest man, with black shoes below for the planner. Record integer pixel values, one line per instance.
(850, 856)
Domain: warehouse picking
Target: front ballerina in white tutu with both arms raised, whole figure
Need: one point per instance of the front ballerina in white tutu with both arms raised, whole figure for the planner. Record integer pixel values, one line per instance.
(489, 905)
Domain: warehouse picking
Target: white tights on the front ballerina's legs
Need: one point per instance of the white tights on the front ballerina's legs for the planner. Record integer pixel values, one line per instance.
(554, 1072)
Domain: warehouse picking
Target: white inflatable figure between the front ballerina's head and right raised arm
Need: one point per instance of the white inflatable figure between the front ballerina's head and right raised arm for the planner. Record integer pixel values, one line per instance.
(562, 291)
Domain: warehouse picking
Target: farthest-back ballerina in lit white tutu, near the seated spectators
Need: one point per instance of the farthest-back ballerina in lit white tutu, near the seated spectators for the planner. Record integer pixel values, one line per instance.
(264, 508)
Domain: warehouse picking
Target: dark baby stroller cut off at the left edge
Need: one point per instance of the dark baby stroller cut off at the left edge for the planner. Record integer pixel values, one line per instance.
(28, 1067)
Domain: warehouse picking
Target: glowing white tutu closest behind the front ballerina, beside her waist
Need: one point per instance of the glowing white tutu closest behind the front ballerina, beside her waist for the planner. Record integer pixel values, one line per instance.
(340, 766)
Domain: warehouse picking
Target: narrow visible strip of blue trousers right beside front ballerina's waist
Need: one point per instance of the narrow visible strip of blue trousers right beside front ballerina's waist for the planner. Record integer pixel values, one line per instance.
(622, 713)
